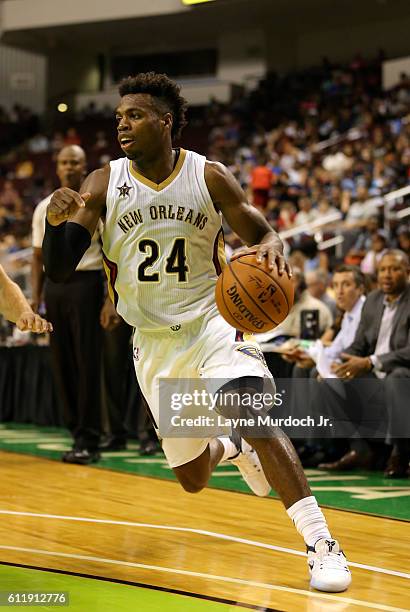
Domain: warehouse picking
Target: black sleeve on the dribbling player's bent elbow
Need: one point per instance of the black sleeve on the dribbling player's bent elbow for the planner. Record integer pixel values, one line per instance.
(63, 247)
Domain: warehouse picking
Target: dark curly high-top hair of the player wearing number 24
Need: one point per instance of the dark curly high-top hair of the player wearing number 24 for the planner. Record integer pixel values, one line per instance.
(165, 91)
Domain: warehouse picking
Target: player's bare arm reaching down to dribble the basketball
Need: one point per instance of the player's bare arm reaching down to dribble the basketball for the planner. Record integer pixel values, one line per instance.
(244, 219)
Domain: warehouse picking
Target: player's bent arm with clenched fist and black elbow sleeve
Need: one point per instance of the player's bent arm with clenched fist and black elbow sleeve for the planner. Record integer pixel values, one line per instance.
(71, 221)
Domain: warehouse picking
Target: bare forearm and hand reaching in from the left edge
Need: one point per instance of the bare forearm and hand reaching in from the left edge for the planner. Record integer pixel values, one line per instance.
(15, 308)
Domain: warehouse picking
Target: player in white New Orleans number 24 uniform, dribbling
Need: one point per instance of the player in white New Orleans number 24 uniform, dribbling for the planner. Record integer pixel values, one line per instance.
(162, 208)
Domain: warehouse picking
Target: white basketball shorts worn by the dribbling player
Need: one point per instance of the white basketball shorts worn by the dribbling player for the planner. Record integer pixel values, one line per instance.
(205, 348)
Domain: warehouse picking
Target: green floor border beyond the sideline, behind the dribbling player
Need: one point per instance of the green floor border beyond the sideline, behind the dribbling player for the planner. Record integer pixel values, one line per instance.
(366, 492)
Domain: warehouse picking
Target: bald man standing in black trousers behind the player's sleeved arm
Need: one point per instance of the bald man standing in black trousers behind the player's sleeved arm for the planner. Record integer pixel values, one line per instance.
(74, 310)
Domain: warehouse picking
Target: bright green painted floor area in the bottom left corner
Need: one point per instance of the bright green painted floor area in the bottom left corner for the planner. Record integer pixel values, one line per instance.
(88, 594)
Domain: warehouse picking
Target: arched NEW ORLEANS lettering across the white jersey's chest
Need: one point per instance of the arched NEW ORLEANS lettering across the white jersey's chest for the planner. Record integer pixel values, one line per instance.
(180, 213)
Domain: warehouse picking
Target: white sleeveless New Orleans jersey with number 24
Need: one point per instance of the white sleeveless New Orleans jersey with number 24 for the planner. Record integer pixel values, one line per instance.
(163, 244)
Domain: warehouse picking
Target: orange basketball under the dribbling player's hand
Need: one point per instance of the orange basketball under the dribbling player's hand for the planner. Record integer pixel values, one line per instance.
(252, 298)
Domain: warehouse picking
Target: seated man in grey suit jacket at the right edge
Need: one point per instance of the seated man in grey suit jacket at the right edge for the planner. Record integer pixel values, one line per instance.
(381, 349)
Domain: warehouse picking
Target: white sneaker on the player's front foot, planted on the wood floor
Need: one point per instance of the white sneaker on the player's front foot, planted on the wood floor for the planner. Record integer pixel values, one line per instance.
(328, 567)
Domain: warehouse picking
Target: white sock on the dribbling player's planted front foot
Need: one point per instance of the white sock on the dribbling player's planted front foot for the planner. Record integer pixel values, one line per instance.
(309, 520)
